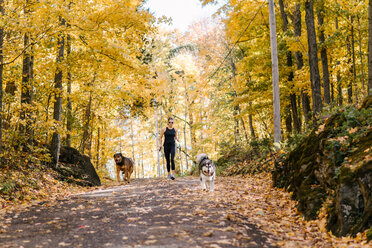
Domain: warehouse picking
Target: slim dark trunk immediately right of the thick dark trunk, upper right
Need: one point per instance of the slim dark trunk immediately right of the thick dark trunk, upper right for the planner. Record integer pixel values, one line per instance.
(323, 54)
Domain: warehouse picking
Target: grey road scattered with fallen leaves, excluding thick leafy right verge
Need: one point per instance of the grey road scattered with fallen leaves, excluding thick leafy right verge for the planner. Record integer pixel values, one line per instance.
(146, 213)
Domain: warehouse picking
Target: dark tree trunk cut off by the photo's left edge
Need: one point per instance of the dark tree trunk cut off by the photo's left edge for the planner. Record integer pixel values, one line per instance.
(1, 74)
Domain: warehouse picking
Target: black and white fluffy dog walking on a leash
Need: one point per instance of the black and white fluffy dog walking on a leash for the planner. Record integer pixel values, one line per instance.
(207, 171)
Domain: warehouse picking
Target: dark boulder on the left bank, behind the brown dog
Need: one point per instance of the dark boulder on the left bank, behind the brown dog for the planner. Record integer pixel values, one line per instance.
(77, 168)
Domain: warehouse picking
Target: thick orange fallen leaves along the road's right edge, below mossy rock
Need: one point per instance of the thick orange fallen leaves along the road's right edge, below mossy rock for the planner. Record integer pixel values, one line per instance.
(254, 201)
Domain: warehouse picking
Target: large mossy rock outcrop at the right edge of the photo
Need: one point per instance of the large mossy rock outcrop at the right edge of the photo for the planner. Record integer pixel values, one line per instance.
(333, 162)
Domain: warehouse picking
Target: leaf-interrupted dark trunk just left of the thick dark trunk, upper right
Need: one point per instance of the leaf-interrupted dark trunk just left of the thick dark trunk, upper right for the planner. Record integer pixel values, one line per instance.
(300, 63)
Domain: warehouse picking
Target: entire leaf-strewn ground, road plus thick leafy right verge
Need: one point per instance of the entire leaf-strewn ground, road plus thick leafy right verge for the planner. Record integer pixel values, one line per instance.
(241, 212)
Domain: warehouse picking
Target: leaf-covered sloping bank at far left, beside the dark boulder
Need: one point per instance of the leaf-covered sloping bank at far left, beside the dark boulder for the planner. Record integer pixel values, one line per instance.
(26, 177)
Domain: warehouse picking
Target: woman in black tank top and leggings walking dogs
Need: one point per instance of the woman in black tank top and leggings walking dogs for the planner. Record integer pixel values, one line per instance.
(170, 134)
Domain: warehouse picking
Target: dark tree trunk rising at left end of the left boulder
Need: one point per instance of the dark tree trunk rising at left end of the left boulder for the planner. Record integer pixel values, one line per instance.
(56, 139)
